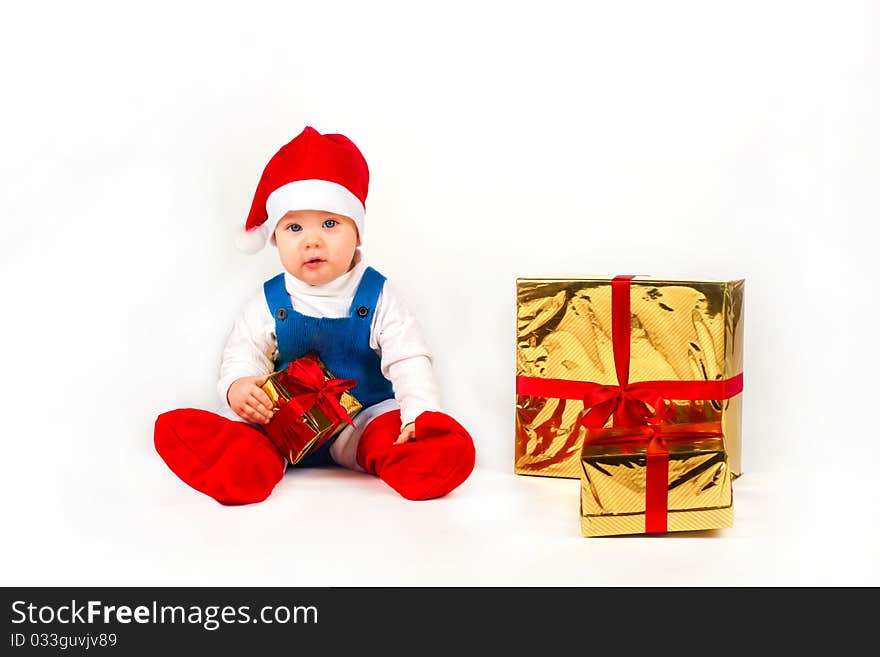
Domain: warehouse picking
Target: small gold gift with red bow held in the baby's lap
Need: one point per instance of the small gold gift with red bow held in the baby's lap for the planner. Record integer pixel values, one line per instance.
(297, 434)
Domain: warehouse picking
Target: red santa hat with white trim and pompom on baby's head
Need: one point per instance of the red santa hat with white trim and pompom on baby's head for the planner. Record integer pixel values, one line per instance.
(311, 172)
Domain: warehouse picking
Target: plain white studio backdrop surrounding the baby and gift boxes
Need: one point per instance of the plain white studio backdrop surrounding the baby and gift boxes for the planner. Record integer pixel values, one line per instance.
(676, 138)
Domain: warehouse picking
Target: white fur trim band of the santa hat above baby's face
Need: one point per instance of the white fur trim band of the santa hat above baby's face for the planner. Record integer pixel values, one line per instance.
(313, 194)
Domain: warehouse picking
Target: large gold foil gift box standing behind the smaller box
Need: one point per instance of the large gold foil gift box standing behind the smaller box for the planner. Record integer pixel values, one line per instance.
(679, 331)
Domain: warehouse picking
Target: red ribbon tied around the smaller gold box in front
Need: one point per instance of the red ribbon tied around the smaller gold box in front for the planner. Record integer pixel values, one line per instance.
(657, 459)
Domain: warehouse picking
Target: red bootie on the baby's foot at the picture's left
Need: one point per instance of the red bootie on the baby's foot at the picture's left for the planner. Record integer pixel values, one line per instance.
(230, 461)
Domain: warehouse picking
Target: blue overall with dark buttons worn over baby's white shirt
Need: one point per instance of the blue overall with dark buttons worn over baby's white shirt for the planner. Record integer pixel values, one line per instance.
(342, 343)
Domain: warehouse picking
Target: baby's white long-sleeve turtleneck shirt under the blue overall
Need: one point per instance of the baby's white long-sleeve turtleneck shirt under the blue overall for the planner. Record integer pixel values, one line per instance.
(395, 336)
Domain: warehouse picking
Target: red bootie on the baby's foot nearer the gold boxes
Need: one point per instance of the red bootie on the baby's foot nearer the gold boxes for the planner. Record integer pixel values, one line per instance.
(437, 461)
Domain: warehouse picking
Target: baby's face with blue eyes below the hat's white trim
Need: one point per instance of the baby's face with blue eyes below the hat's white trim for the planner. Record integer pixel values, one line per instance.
(316, 247)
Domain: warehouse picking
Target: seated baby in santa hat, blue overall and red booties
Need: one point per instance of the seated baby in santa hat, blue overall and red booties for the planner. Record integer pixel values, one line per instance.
(310, 203)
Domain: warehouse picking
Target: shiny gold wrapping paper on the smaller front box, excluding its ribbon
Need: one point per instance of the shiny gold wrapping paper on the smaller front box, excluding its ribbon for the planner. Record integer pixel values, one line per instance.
(613, 487)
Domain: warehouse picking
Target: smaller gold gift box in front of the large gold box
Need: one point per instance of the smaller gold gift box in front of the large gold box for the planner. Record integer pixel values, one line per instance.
(693, 473)
